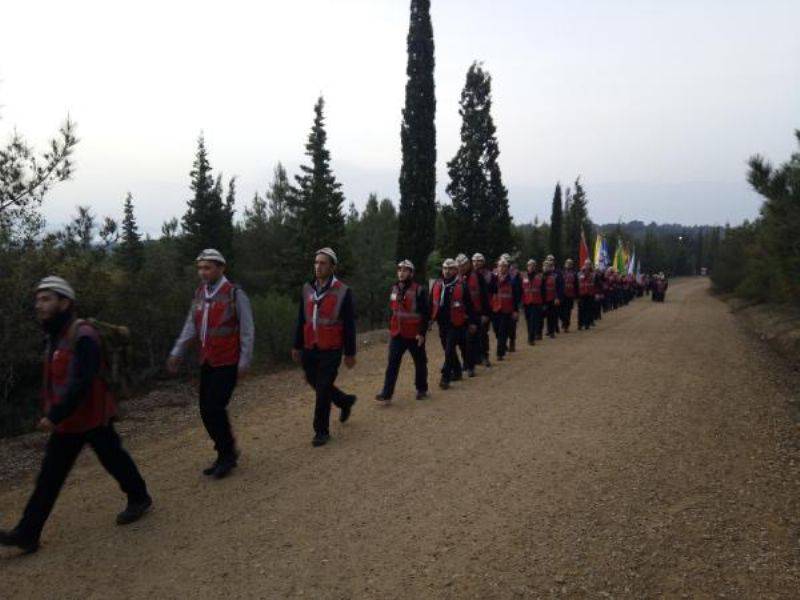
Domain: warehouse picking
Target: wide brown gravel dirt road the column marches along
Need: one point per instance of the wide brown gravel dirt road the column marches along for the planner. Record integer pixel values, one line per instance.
(653, 457)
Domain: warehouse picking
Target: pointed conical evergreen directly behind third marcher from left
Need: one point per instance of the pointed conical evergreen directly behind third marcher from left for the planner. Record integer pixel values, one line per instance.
(318, 219)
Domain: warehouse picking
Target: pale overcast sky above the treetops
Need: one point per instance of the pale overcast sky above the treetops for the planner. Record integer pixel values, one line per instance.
(656, 104)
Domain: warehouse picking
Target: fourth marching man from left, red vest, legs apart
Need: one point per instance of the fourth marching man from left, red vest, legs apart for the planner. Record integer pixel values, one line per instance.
(408, 325)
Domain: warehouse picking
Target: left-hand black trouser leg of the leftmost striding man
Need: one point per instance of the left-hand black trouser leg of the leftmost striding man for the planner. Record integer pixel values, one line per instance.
(59, 457)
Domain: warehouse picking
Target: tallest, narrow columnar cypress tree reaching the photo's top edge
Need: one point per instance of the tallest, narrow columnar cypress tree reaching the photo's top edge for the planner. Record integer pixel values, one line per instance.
(417, 219)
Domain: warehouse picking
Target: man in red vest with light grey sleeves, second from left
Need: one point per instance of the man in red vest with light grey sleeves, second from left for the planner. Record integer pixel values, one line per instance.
(220, 323)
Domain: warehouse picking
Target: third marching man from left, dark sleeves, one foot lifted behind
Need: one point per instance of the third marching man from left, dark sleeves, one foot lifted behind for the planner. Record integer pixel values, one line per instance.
(325, 331)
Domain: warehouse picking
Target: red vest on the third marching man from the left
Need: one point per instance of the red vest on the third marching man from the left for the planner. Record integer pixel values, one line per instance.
(326, 329)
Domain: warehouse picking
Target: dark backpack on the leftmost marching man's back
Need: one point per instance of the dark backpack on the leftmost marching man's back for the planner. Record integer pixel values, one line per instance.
(116, 352)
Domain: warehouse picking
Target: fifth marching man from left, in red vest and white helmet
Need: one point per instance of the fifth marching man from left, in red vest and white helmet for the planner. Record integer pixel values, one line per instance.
(451, 308)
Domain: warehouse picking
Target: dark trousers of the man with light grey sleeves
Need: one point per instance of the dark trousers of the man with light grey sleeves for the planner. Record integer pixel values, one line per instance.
(216, 388)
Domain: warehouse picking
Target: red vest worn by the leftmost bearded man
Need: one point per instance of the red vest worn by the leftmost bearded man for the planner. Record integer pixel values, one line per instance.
(94, 411)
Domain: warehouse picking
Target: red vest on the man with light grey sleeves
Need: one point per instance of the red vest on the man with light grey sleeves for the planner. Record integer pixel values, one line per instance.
(221, 344)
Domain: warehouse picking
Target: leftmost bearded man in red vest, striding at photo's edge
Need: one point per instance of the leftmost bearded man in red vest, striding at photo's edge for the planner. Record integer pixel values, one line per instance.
(78, 410)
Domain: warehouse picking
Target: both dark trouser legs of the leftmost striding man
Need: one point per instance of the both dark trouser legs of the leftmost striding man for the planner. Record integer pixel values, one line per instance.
(62, 450)
